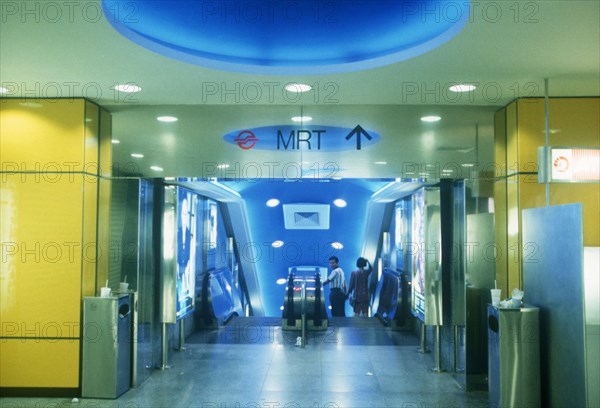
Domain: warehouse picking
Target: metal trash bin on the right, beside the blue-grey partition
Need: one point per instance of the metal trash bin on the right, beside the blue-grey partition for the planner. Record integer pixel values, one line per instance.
(513, 357)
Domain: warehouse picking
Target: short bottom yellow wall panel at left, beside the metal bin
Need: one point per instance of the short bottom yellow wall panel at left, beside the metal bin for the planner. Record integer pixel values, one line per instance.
(43, 363)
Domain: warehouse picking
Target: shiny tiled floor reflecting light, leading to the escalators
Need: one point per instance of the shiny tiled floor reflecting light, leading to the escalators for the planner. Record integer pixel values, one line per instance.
(252, 363)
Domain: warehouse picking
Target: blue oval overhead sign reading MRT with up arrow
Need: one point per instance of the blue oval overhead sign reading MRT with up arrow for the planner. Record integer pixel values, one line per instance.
(305, 138)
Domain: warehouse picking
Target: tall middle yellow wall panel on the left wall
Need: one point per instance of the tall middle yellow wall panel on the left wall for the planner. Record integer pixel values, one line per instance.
(40, 275)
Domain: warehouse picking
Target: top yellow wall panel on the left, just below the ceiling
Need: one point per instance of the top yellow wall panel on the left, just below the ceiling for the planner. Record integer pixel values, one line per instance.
(45, 137)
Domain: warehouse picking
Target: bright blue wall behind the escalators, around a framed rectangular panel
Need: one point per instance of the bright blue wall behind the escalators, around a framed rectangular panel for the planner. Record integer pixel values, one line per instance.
(301, 247)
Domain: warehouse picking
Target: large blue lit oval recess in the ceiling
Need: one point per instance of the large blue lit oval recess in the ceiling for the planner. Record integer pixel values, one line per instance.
(291, 37)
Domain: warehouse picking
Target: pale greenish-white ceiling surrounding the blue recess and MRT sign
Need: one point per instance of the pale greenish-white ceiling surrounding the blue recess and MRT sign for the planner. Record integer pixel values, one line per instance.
(508, 48)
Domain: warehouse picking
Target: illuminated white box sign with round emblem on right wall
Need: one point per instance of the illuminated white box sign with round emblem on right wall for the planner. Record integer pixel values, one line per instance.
(569, 164)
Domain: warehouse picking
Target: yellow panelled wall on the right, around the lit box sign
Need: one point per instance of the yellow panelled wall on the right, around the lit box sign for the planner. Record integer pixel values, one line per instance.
(572, 122)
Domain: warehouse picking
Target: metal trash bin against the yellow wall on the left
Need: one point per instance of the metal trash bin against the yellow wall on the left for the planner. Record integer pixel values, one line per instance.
(106, 368)
